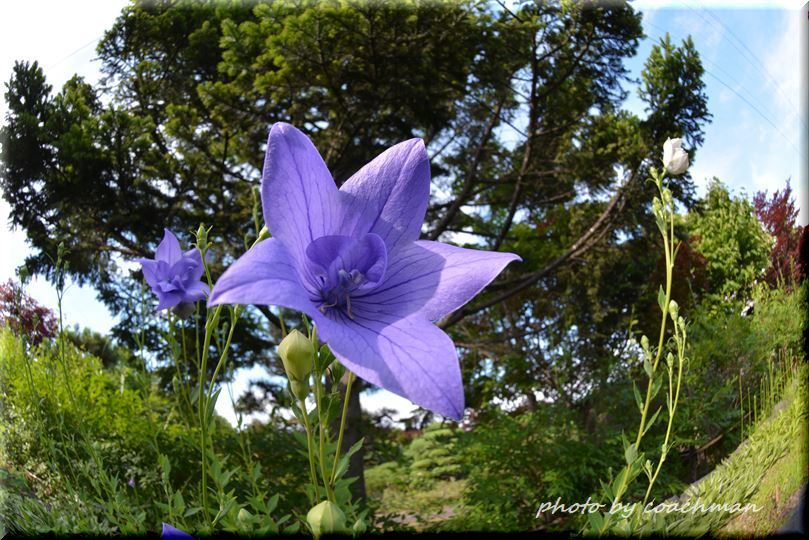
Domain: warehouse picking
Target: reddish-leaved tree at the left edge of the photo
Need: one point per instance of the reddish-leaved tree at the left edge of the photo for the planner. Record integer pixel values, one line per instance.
(24, 315)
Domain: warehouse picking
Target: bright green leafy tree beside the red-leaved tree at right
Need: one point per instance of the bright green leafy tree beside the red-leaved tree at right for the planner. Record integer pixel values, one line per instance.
(732, 239)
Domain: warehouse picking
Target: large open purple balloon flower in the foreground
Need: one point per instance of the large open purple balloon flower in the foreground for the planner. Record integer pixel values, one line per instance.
(351, 260)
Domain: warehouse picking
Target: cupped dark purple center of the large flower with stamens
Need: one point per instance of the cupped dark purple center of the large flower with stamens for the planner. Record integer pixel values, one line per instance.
(342, 268)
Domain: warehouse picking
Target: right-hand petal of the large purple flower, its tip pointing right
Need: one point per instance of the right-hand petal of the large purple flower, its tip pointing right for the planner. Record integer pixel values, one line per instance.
(433, 279)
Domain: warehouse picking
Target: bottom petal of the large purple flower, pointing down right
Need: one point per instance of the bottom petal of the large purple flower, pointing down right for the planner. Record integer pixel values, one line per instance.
(410, 357)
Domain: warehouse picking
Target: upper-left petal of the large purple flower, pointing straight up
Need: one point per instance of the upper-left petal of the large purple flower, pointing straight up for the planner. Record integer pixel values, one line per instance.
(298, 194)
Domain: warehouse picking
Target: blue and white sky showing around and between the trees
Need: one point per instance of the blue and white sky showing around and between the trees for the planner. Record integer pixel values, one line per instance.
(754, 71)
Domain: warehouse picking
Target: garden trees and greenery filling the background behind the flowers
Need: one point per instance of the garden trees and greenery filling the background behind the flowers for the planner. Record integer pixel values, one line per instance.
(520, 107)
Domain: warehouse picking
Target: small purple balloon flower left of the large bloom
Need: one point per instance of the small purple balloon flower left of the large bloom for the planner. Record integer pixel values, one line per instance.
(173, 275)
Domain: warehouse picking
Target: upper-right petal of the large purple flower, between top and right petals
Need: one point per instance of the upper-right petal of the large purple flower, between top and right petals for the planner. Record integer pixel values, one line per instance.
(389, 195)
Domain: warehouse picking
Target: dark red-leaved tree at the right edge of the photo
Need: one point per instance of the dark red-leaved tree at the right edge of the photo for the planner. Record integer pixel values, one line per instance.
(778, 215)
